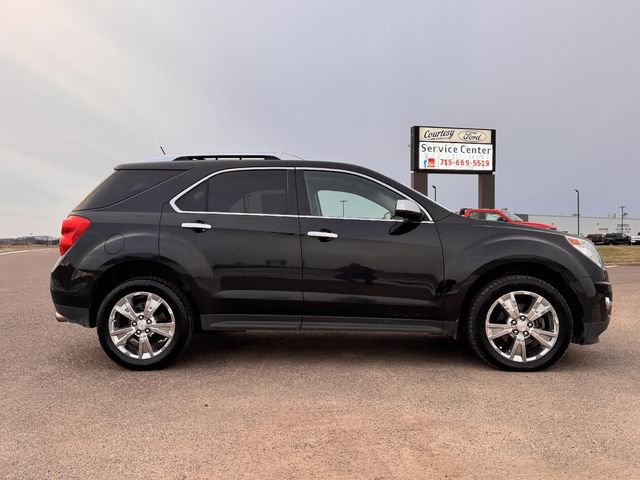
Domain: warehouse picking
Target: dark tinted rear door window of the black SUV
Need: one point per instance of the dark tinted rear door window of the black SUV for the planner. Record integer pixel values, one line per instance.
(249, 191)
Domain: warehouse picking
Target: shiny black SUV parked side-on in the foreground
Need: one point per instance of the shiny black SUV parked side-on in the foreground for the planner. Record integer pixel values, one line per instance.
(161, 249)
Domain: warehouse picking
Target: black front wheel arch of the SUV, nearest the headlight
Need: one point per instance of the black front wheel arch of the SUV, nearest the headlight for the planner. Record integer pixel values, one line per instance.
(555, 275)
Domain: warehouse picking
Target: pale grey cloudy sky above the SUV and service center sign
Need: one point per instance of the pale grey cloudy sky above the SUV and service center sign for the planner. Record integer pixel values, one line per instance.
(85, 86)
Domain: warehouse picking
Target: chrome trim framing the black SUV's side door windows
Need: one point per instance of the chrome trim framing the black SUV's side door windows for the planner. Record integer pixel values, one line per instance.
(173, 201)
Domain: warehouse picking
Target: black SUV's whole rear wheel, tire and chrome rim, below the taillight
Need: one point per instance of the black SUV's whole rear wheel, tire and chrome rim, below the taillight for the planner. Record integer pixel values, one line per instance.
(144, 323)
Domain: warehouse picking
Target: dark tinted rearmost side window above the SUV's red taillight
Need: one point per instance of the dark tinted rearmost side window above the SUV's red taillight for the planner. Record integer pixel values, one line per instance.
(123, 184)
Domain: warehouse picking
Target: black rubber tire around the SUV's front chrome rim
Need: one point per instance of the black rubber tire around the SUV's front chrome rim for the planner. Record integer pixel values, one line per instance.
(490, 293)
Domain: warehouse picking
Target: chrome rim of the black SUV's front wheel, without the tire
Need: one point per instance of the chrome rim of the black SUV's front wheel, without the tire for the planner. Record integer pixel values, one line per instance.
(522, 326)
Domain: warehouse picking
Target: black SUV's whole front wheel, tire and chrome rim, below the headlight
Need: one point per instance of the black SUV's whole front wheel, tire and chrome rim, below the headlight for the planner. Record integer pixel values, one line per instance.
(519, 322)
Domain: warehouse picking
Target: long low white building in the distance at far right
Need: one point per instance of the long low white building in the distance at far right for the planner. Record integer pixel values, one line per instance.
(569, 223)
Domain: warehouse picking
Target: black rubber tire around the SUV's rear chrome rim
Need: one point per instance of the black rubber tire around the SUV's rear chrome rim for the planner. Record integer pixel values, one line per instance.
(179, 306)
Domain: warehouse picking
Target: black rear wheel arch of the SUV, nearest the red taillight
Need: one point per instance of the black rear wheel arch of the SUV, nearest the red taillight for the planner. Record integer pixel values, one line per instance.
(131, 269)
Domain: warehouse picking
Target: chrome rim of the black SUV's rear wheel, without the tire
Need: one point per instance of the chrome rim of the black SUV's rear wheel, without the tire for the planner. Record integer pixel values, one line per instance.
(141, 325)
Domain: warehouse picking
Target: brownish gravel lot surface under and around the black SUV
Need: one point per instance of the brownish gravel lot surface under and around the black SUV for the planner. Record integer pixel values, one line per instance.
(308, 405)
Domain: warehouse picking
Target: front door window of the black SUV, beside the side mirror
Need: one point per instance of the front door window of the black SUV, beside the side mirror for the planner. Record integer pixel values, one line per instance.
(334, 194)
